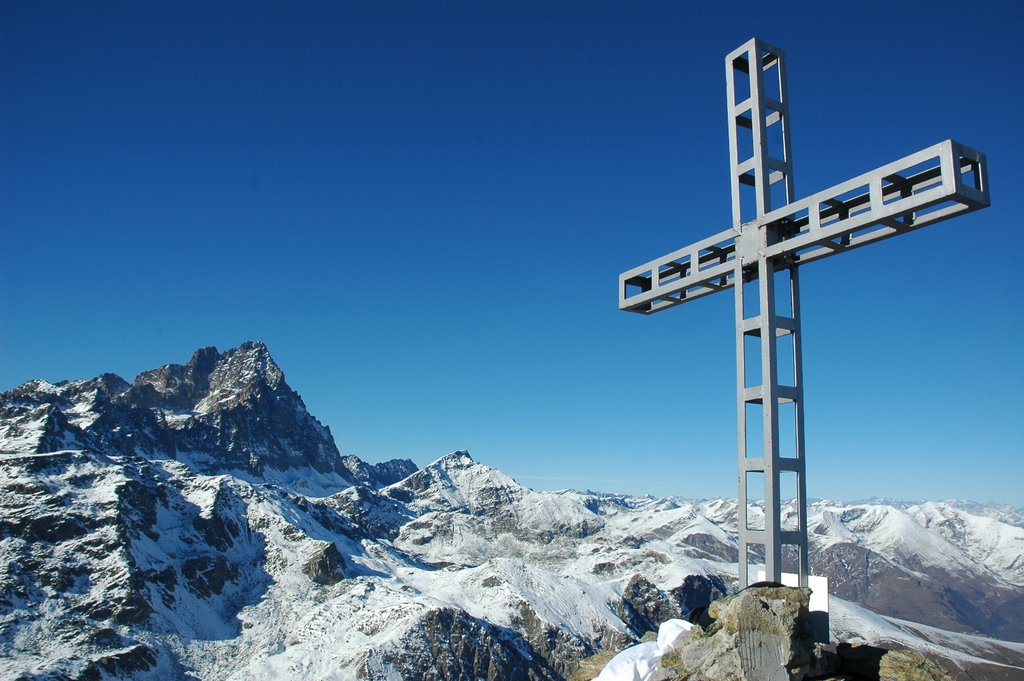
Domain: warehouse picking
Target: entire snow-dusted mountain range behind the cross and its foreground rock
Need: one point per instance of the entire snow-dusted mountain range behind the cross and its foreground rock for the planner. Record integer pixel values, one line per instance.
(199, 523)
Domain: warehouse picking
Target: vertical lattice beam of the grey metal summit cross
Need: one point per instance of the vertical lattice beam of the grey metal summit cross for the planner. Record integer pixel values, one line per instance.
(762, 181)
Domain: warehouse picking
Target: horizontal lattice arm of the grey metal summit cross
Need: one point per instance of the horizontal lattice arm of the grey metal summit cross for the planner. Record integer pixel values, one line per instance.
(923, 189)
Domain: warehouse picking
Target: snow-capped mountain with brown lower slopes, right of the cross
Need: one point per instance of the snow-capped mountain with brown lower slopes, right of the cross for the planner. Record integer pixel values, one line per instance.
(931, 563)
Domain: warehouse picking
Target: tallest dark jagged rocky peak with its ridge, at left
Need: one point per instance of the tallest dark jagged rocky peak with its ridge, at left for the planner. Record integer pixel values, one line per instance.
(228, 412)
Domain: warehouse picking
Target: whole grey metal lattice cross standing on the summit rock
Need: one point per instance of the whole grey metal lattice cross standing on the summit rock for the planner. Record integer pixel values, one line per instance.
(772, 236)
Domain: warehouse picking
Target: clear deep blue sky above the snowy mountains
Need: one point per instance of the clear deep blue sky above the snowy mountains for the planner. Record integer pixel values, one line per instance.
(423, 208)
